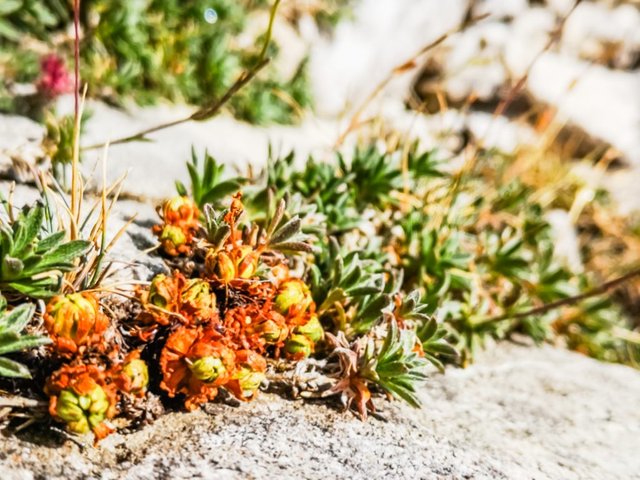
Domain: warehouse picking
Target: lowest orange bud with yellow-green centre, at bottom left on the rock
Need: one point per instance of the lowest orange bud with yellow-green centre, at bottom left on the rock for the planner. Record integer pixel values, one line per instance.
(83, 397)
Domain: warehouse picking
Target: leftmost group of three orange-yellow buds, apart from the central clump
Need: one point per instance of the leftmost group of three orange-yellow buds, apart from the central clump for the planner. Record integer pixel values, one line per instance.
(84, 393)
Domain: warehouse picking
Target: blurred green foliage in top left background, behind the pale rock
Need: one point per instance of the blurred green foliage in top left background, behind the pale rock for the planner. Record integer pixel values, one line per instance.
(163, 48)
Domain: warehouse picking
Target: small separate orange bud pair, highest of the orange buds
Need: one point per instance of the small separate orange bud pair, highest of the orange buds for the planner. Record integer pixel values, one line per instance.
(180, 217)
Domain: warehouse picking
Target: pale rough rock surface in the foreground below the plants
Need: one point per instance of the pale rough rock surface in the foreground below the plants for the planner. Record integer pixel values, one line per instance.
(519, 412)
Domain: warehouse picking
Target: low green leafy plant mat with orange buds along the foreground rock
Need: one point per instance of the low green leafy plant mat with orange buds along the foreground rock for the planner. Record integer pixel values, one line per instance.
(372, 272)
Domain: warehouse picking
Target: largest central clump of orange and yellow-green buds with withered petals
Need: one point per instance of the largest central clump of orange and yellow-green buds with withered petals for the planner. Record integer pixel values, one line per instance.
(220, 328)
